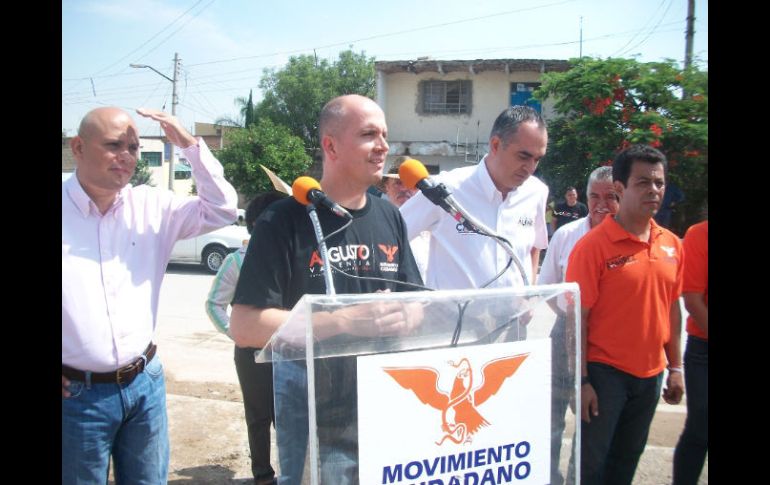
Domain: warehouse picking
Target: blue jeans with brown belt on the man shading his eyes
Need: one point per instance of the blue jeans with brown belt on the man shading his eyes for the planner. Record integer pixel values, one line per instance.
(126, 421)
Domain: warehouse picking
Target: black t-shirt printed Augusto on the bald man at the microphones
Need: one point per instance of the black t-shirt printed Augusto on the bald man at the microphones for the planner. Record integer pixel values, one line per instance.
(283, 263)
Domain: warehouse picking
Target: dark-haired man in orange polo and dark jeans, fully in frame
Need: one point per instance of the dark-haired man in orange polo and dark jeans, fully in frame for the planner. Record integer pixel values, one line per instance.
(629, 270)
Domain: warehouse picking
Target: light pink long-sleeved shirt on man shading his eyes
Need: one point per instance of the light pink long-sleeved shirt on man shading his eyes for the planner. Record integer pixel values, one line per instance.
(113, 264)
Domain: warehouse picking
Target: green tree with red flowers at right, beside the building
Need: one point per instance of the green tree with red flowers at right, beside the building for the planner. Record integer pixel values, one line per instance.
(603, 106)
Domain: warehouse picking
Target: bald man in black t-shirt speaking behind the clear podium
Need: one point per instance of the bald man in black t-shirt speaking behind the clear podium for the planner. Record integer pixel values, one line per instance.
(282, 264)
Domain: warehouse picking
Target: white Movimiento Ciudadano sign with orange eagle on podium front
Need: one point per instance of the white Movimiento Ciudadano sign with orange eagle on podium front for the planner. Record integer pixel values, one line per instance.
(478, 414)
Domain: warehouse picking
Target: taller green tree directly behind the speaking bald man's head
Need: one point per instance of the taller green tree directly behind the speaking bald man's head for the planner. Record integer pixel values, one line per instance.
(295, 94)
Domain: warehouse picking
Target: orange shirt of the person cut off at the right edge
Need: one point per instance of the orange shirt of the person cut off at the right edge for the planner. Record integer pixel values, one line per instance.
(696, 268)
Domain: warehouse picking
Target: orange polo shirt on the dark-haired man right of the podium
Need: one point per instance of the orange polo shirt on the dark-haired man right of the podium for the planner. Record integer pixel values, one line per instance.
(629, 285)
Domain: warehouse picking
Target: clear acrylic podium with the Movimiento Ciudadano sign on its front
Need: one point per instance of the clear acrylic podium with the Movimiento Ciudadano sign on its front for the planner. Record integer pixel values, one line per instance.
(465, 396)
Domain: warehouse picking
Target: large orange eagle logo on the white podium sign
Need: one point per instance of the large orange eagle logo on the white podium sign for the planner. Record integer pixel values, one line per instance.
(459, 416)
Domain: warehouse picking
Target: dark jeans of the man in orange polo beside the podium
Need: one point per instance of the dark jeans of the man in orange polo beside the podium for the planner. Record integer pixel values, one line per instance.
(612, 443)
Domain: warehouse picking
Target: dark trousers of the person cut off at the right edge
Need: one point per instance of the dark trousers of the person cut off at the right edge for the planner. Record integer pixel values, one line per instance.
(693, 445)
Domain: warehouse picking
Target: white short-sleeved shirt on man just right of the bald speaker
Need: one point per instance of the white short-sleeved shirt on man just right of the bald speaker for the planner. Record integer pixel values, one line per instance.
(460, 259)
